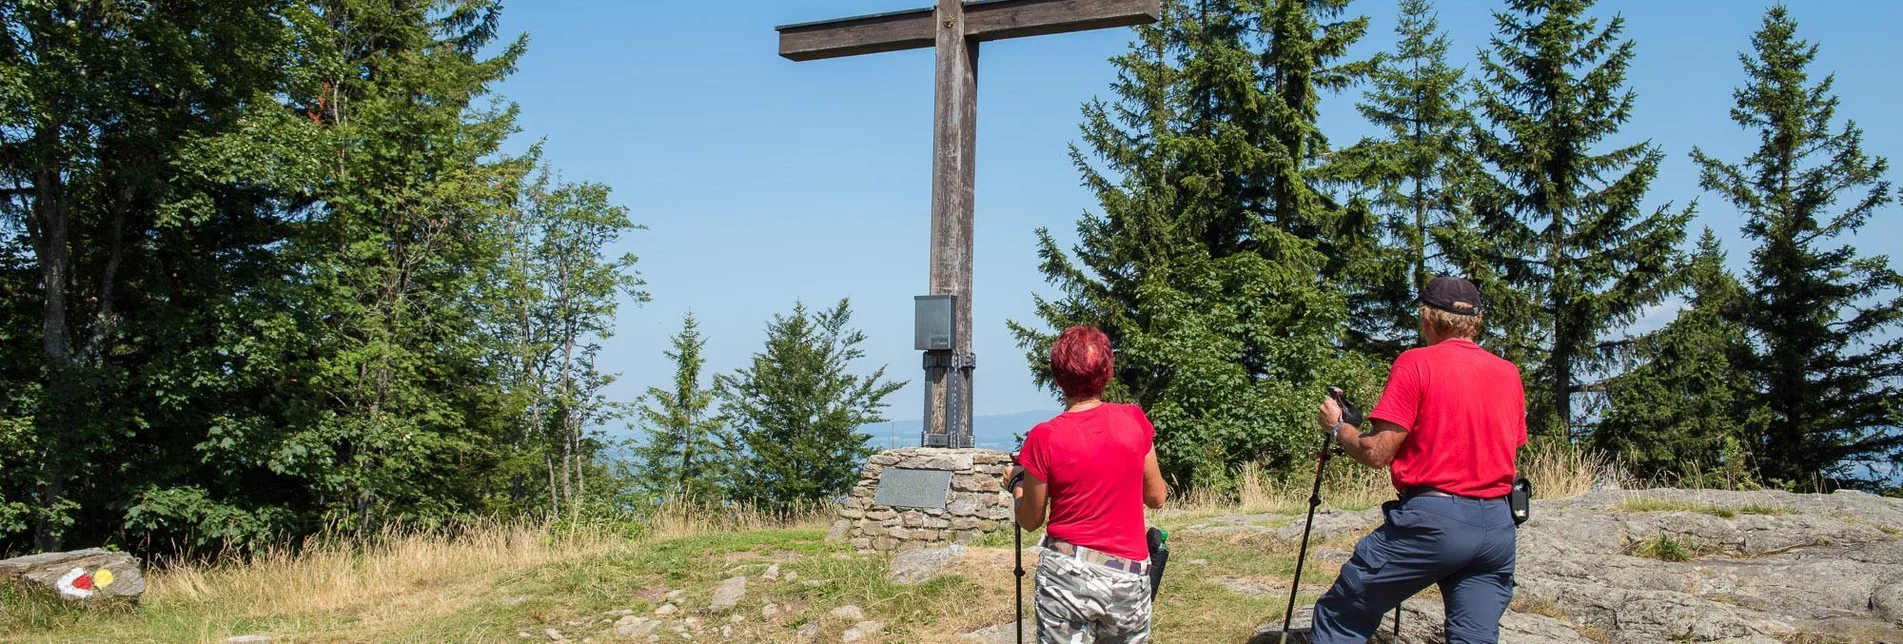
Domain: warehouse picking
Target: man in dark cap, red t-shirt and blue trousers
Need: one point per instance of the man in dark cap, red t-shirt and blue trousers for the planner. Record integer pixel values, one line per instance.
(1449, 428)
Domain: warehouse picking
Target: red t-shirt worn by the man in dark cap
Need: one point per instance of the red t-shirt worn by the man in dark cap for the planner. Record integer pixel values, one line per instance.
(1466, 418)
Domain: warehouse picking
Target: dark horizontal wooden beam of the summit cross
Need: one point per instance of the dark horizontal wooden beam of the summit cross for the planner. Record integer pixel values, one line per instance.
(992, 20)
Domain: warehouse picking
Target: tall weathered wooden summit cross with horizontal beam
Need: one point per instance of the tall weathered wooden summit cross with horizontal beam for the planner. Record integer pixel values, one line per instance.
(956, 28)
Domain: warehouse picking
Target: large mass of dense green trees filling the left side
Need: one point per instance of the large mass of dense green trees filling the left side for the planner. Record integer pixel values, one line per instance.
(248, 268)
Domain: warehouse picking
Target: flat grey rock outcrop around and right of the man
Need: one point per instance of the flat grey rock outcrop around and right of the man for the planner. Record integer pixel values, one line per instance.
(1683, 567)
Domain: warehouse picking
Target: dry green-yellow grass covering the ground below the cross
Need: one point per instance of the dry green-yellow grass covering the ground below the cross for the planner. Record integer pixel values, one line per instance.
(578, 595)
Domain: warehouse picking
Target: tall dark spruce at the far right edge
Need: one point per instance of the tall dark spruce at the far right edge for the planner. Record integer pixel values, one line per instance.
(1824, 315)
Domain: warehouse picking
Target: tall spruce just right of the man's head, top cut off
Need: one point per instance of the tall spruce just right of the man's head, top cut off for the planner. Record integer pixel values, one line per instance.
(1573, 251)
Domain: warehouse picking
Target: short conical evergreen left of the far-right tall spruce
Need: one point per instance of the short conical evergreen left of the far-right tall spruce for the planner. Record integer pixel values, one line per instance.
(1689, 403)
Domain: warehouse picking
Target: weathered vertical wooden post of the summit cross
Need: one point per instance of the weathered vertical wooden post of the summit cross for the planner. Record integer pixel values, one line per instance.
(949, 374)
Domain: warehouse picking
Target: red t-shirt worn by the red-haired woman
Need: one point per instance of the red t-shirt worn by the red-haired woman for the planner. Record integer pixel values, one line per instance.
(1093, 464)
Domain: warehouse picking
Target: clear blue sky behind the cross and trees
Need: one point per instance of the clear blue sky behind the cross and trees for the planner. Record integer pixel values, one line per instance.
(764, 182)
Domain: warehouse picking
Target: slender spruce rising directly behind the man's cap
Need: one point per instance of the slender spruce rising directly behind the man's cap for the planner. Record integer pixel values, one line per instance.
(1417, 174)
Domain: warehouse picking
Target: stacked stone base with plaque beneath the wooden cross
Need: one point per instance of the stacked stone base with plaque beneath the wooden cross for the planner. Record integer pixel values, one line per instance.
(977, 504)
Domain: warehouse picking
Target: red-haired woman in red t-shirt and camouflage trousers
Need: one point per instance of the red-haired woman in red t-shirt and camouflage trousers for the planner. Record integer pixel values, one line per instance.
(1093, 470)
